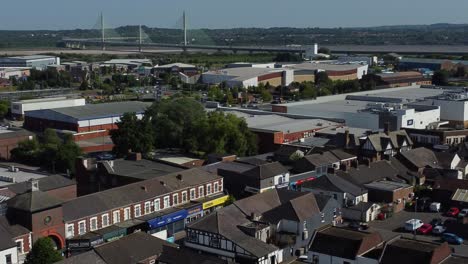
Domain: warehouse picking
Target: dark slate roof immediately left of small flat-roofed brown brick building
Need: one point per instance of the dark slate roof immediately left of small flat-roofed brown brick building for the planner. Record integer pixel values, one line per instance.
(333, 183)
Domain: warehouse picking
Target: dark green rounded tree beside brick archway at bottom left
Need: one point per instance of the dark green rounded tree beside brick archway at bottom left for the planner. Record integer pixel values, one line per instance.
(43, 252)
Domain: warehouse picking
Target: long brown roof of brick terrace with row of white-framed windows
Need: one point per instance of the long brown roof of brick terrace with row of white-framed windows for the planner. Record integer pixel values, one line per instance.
(132, 193)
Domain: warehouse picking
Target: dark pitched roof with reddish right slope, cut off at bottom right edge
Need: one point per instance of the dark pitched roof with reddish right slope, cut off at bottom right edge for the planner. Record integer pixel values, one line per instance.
(414, 251)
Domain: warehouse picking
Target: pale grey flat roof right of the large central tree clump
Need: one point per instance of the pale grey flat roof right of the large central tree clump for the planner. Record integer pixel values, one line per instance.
(282, 123)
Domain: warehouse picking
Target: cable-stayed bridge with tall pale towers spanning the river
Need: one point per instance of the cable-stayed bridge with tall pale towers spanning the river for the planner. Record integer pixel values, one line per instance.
(109, 37)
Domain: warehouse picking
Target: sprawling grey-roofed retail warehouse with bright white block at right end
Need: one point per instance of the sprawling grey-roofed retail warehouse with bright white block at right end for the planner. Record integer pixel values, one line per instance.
(372, 109)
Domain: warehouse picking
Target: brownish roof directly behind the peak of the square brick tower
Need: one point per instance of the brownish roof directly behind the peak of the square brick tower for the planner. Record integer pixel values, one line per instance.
(45, 184)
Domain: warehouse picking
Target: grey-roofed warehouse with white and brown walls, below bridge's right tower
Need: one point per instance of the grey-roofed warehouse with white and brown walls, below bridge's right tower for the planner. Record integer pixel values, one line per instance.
(248, 77)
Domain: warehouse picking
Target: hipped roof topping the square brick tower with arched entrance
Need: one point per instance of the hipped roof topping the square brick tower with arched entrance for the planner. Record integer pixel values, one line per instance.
(33, 201)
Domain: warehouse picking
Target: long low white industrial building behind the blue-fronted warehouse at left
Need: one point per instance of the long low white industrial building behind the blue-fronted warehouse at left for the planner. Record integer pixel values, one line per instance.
(19, 107)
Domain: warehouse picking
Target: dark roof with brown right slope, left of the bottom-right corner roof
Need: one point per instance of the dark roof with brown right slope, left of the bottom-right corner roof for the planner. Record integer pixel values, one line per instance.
(344, 243)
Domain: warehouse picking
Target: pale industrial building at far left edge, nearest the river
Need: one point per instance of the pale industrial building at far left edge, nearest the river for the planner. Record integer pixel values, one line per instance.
(39, 62)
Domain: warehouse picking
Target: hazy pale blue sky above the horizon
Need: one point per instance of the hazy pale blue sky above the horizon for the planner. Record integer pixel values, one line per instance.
(70, 14)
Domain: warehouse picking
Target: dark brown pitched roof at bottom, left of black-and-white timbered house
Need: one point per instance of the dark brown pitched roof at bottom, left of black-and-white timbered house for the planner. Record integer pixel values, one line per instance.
(132, 248)
